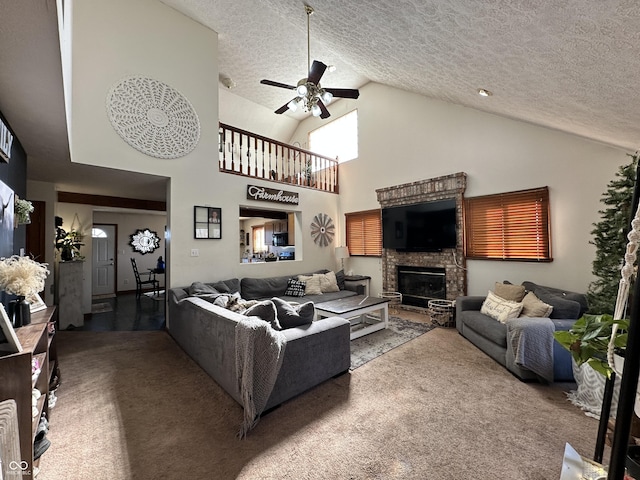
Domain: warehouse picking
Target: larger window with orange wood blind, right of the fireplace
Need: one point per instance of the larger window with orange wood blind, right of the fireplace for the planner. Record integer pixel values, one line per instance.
(509, 226)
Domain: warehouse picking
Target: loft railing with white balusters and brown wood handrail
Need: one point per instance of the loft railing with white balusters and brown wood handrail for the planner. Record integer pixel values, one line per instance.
(251, 155)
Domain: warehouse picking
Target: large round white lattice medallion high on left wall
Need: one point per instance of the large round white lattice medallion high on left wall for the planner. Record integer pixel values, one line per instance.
(153, 117)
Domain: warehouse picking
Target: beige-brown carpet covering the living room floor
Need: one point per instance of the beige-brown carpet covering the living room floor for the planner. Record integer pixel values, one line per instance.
(132, 405)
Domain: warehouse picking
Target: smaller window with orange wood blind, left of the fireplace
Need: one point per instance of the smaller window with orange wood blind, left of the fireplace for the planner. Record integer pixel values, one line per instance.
(364, 233)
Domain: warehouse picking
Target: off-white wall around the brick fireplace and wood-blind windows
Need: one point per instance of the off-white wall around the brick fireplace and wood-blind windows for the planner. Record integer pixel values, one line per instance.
(405, 137)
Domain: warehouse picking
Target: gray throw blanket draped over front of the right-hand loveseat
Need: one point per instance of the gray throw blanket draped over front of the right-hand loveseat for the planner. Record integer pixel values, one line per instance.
(531, 341)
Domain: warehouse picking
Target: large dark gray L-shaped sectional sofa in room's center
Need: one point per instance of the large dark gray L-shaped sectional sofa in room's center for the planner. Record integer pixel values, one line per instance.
(314, 352)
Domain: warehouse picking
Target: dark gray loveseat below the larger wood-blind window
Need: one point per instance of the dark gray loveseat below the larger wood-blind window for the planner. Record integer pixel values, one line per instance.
(490, 335)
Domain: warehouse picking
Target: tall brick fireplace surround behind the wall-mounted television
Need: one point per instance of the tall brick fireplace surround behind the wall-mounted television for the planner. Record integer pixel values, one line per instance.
(450, 262)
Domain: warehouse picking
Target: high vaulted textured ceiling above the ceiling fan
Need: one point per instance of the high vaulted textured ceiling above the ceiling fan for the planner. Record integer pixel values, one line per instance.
(569, 64)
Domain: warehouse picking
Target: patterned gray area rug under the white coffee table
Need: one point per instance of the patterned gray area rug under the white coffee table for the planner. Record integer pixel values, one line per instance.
(368, 347)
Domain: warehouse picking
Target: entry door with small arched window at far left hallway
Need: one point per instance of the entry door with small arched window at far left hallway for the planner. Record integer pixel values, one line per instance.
(103, 264)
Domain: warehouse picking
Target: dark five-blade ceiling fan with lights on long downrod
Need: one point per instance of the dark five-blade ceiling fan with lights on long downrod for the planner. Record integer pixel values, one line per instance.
(310, 96)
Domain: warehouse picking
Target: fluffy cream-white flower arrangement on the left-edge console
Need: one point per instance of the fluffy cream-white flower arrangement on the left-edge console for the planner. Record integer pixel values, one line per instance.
(22, 276)
